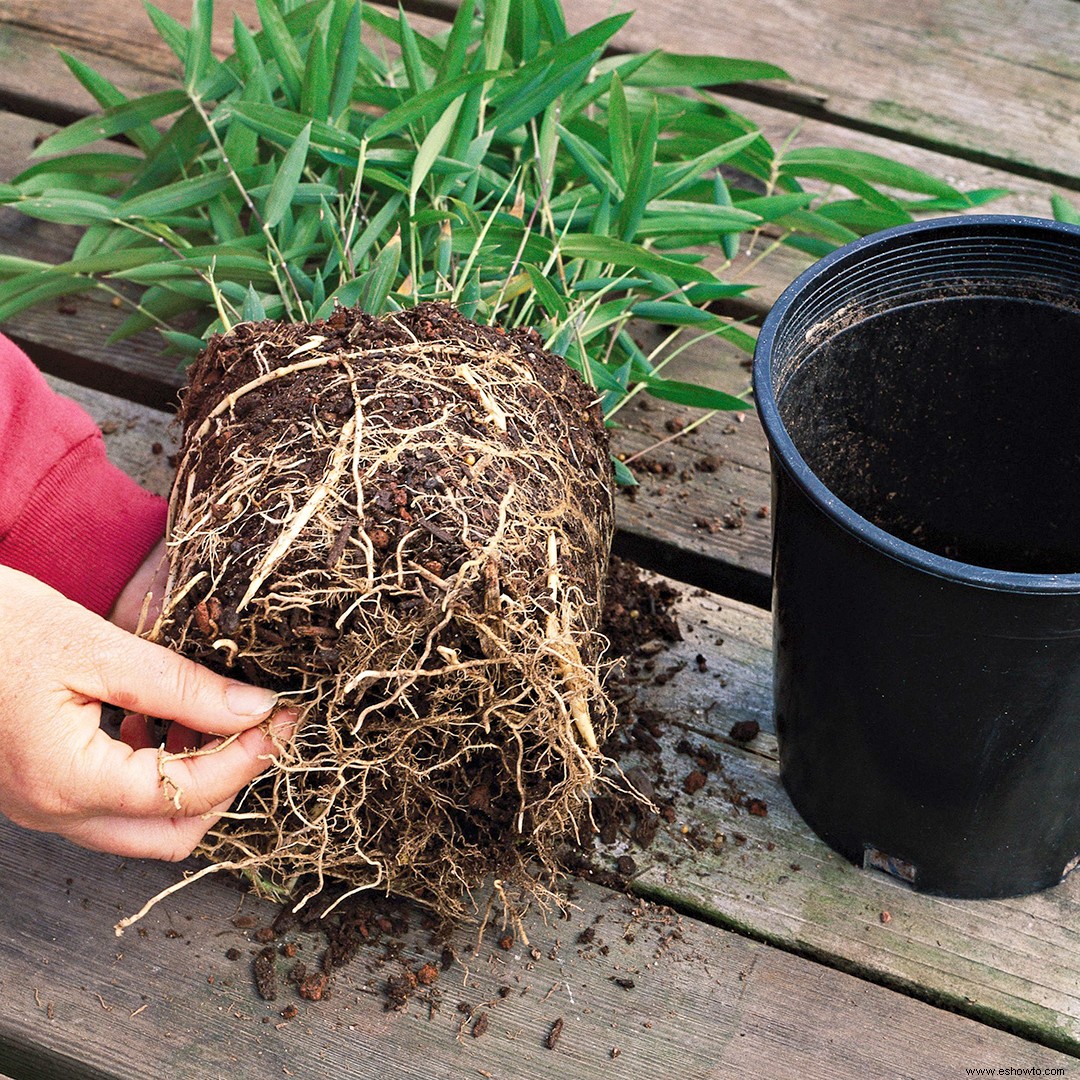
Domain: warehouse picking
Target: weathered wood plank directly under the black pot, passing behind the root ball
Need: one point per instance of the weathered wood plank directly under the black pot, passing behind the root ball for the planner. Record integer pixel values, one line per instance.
(1010, 963)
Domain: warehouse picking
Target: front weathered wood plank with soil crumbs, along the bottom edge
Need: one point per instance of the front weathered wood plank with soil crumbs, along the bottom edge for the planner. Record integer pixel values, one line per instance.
(694, 1002)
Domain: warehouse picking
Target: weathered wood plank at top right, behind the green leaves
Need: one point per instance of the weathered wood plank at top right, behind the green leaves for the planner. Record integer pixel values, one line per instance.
(1000, 82)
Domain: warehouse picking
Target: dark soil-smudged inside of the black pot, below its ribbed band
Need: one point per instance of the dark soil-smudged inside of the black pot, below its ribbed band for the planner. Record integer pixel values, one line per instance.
(952, 424)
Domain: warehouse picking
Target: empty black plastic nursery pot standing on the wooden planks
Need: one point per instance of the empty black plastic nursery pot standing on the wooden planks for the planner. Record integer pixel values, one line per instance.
(921, 393)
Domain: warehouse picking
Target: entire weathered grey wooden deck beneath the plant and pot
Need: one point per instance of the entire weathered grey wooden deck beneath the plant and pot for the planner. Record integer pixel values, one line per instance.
(745, 948)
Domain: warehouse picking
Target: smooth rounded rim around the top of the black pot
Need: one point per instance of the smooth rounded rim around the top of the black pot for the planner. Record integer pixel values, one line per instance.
(788, 456)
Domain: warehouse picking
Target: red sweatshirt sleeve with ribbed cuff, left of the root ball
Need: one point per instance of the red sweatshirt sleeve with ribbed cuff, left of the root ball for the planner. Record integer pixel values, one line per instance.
(69, 517)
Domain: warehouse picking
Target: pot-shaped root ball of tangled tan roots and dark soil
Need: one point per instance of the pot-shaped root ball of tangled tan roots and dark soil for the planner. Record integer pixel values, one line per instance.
(406, 533)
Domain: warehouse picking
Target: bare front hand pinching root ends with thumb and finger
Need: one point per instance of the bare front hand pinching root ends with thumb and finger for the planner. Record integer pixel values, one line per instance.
(61, 773)
